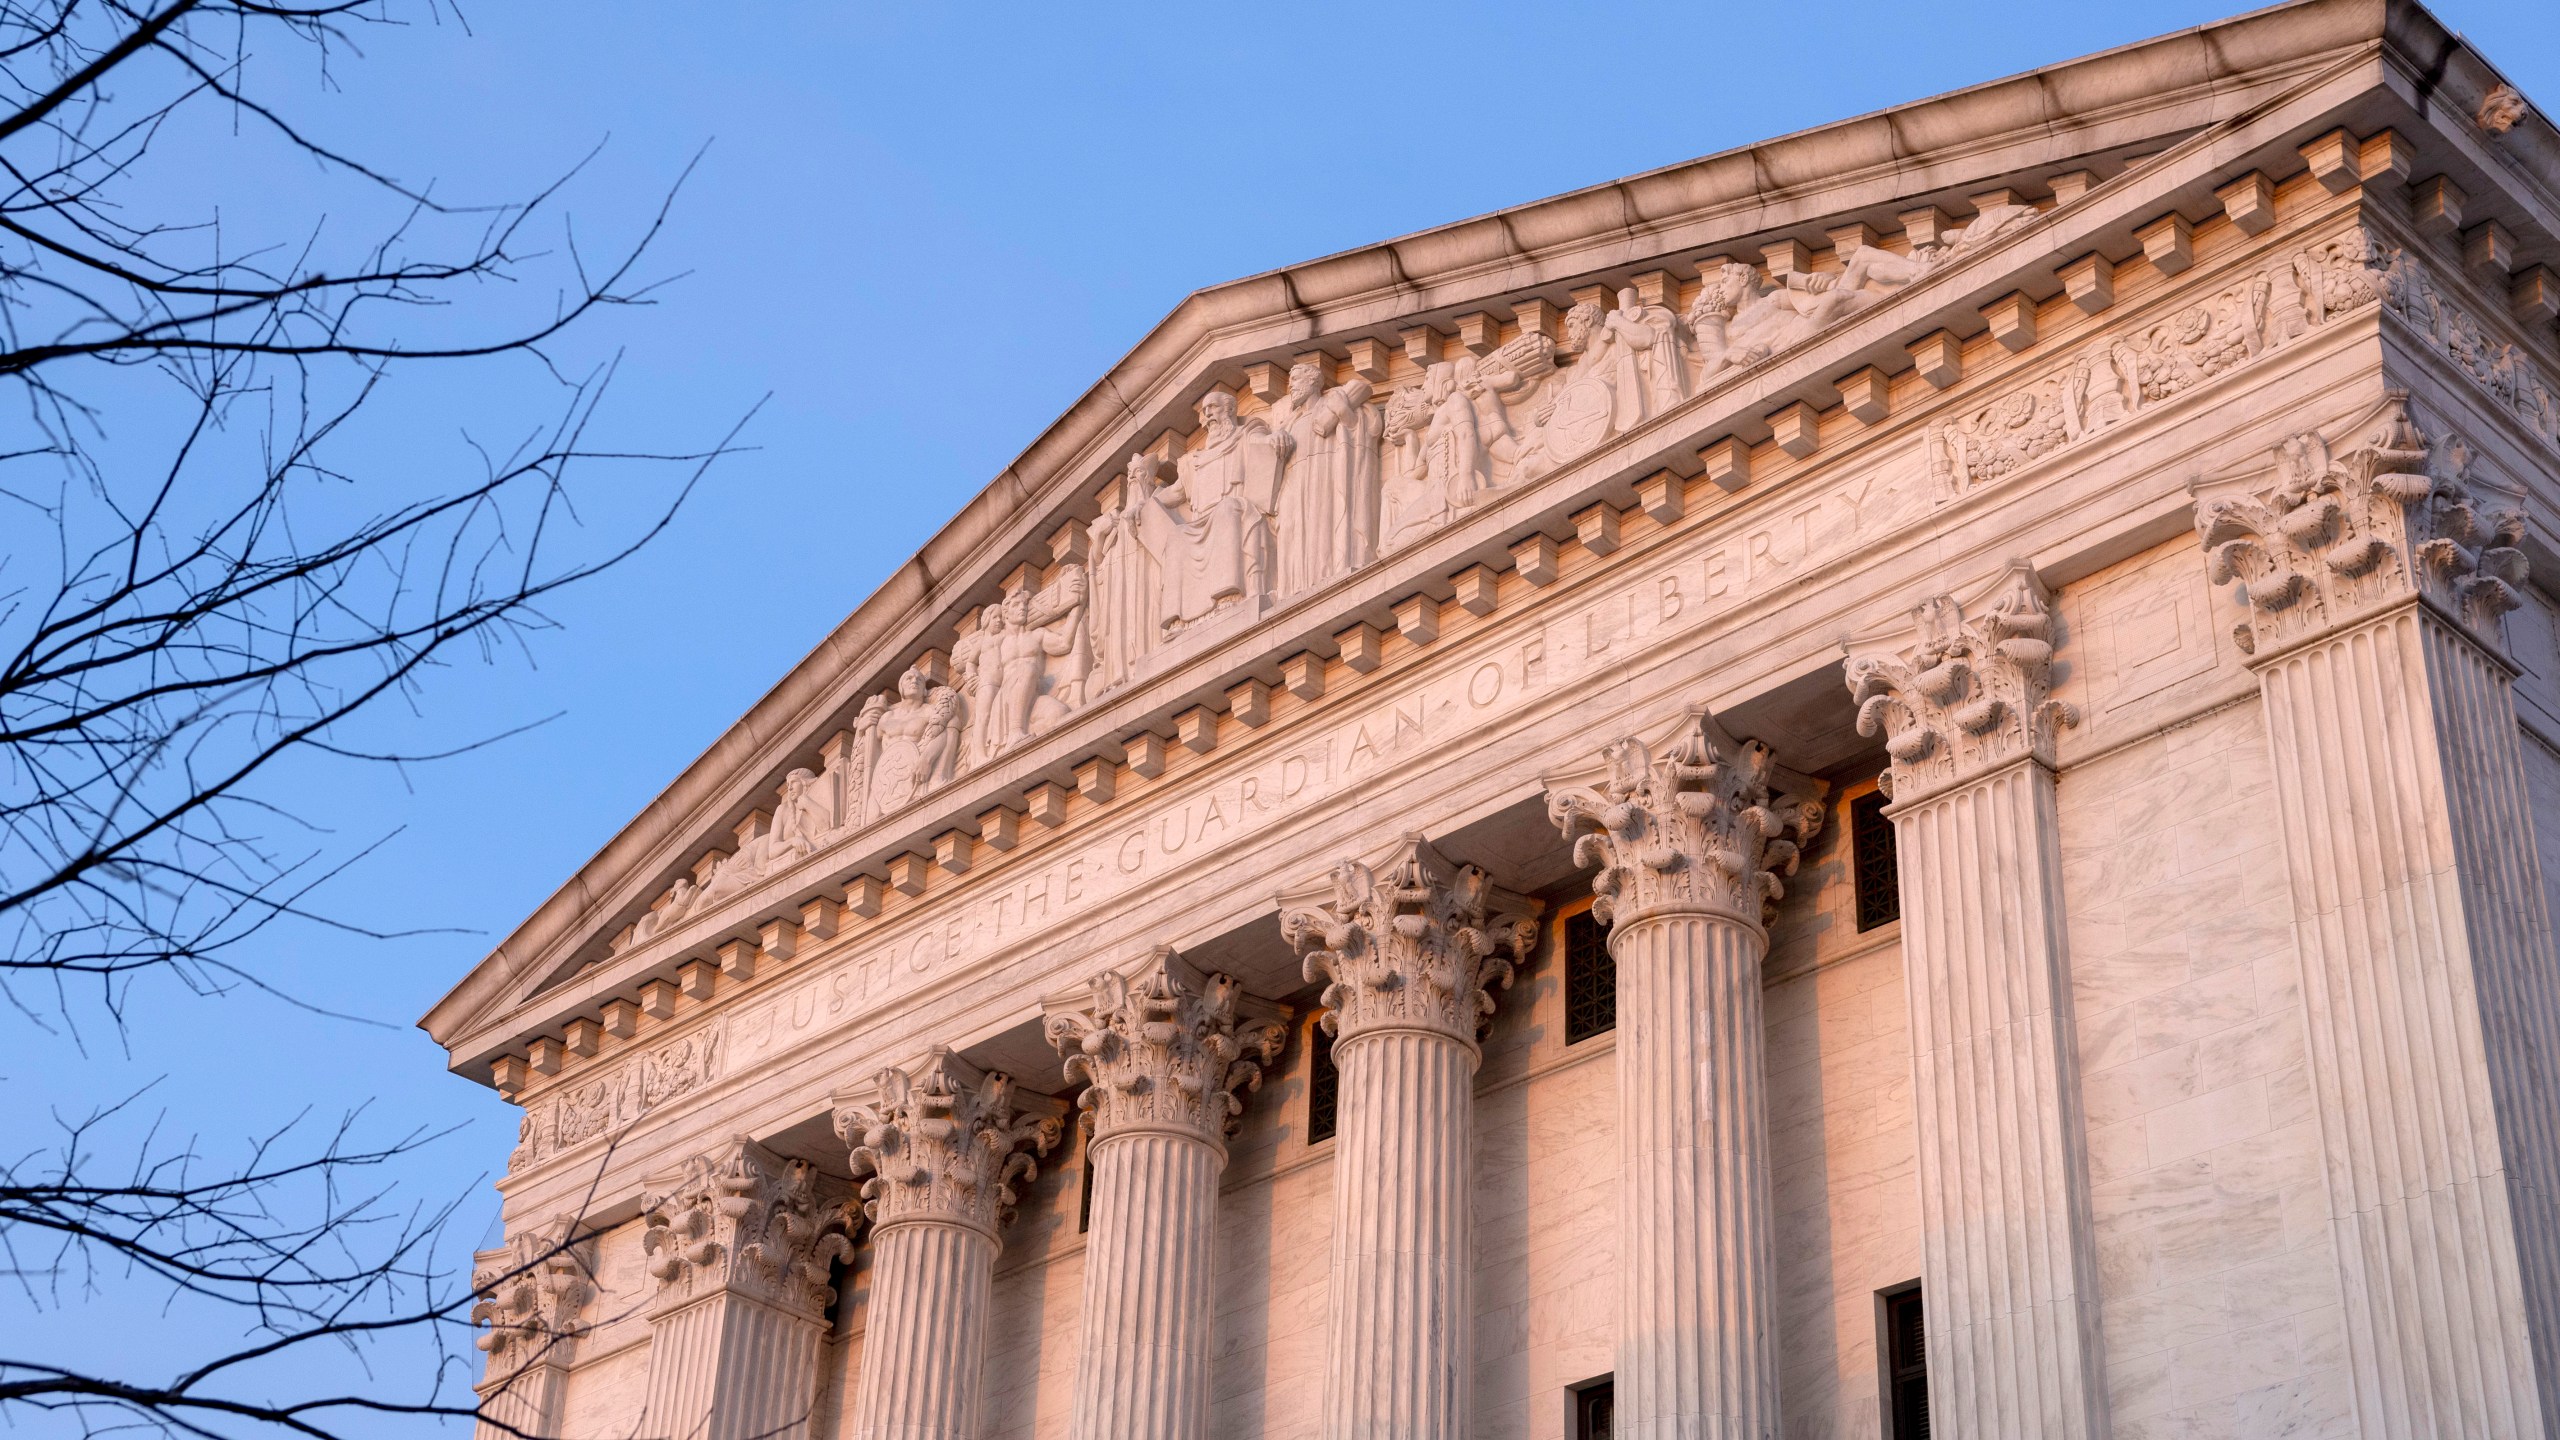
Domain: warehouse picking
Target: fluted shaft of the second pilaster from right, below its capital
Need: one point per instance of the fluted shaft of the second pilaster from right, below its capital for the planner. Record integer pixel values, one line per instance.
(2008, 1254)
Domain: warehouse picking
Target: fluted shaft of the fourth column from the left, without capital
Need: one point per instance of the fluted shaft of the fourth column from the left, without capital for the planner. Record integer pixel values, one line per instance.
(1151, 1259)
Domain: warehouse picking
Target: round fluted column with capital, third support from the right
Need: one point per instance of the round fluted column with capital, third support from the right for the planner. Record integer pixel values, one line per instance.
(1691, 852)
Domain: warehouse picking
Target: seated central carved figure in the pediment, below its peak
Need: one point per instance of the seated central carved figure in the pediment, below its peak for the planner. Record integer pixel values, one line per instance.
(1210, 532)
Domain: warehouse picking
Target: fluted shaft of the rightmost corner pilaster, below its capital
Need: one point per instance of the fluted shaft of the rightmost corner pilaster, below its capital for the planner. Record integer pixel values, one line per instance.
(2426, 947)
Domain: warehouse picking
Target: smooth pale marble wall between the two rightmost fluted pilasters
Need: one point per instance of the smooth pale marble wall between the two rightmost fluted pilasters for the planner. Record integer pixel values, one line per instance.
(2218, 1275)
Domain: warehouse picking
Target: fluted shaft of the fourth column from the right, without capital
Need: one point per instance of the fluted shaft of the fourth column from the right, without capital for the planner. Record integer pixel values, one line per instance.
(1399, 1318)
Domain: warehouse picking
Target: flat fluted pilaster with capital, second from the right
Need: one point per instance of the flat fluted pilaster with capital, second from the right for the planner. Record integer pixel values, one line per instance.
(2008, 1252)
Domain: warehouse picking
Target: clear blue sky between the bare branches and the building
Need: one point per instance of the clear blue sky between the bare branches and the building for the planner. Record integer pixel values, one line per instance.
(920, 232)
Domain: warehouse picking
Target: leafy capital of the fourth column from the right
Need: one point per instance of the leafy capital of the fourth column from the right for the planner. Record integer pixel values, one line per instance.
(1417, 947)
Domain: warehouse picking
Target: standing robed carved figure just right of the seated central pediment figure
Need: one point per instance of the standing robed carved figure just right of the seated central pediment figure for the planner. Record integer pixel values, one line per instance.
(1327, 521)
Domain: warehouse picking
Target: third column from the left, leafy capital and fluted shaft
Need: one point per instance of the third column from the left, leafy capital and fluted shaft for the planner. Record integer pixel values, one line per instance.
(941, 1149)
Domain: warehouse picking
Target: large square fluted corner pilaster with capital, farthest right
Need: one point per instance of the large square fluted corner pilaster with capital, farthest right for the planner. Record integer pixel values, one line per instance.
(2377, 591)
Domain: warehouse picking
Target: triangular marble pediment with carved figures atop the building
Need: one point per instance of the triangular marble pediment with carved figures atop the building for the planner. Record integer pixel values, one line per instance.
(1299, 465)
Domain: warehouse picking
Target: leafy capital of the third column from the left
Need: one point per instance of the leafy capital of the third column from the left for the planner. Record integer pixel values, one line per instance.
(946, 1141)
